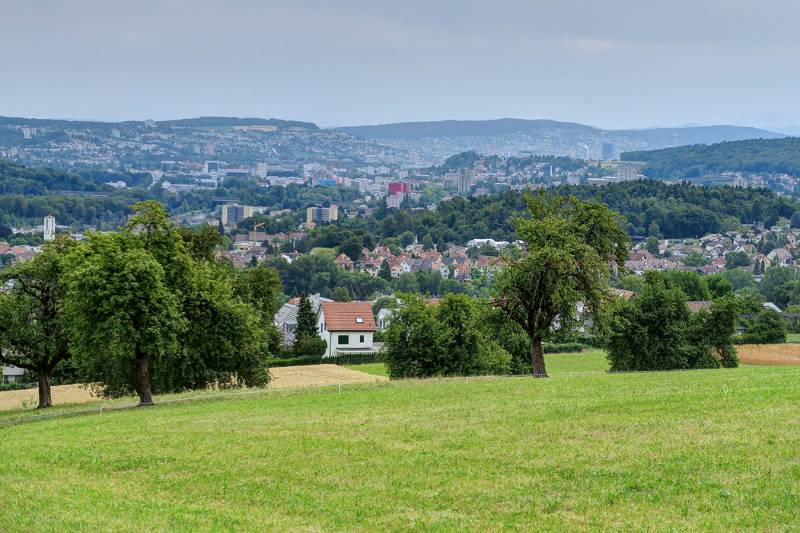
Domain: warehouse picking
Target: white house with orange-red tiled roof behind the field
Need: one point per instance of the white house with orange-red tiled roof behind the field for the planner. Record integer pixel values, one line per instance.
(346, 327)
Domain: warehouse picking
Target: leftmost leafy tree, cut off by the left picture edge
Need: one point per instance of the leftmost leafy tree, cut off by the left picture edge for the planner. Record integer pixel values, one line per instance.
(33, 329)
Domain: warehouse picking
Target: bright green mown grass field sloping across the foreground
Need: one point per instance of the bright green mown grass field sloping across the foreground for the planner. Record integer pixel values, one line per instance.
(698, 450)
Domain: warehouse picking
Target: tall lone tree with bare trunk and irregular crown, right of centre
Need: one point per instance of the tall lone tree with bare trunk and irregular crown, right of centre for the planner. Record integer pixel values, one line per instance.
(569, 247)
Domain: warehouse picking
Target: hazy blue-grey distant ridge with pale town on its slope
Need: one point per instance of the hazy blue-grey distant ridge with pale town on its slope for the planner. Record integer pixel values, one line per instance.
(433, 142)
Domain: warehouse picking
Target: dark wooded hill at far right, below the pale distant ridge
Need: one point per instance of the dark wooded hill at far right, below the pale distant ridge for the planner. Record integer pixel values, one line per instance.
(756, 155)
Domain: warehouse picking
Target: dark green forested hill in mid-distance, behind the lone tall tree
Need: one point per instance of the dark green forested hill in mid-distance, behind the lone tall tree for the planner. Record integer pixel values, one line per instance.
(647, 207)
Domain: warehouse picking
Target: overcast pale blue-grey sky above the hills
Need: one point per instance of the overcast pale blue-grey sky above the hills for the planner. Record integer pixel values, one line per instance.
(611, 63)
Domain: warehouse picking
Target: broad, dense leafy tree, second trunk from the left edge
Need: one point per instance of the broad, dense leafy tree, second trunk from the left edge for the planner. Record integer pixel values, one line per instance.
(123, 317)
